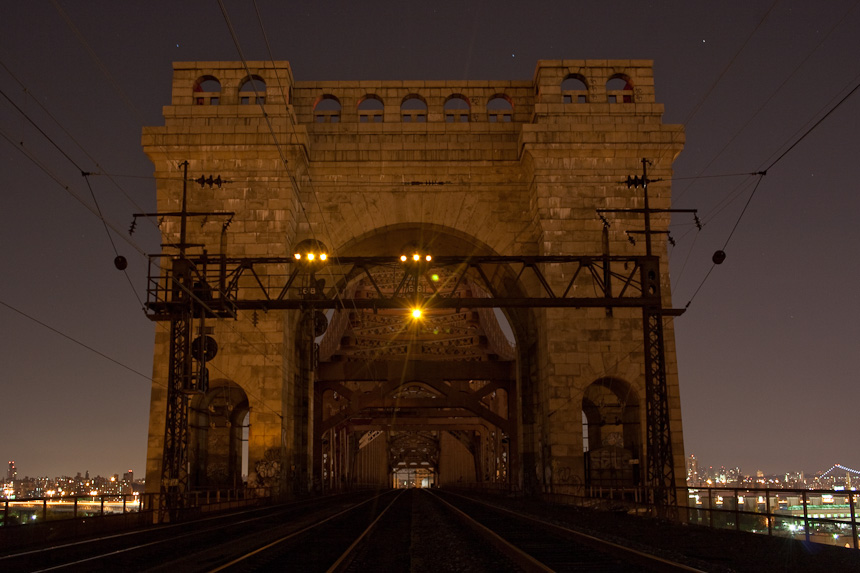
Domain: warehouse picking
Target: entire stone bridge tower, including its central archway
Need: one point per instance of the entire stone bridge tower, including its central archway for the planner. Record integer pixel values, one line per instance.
(537, 398)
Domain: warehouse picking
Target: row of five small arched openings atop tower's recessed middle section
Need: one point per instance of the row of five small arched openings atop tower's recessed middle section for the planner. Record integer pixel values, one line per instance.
(413, 109)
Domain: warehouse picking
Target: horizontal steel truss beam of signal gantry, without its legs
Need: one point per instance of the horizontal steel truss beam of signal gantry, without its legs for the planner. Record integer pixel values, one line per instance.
(225, 285)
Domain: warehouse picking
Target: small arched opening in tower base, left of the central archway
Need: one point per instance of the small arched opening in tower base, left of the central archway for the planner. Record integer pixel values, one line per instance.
(218, 445)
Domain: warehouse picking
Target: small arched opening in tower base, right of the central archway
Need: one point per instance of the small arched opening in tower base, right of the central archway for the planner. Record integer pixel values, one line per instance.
(612, 438)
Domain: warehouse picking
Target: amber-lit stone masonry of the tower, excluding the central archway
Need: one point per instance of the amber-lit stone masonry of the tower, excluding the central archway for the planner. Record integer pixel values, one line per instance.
(491, 167)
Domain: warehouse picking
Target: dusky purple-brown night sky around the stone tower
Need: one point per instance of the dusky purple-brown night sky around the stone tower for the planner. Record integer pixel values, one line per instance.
(767, 351)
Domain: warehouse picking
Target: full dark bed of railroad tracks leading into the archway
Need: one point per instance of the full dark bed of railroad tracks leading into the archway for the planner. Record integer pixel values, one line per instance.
(397, 530)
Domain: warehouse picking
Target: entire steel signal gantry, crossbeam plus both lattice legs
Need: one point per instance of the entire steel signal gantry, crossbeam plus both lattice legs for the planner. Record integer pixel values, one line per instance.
(220, 286)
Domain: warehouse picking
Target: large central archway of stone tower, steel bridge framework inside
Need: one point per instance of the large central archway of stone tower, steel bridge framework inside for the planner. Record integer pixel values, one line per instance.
(401, 400)
